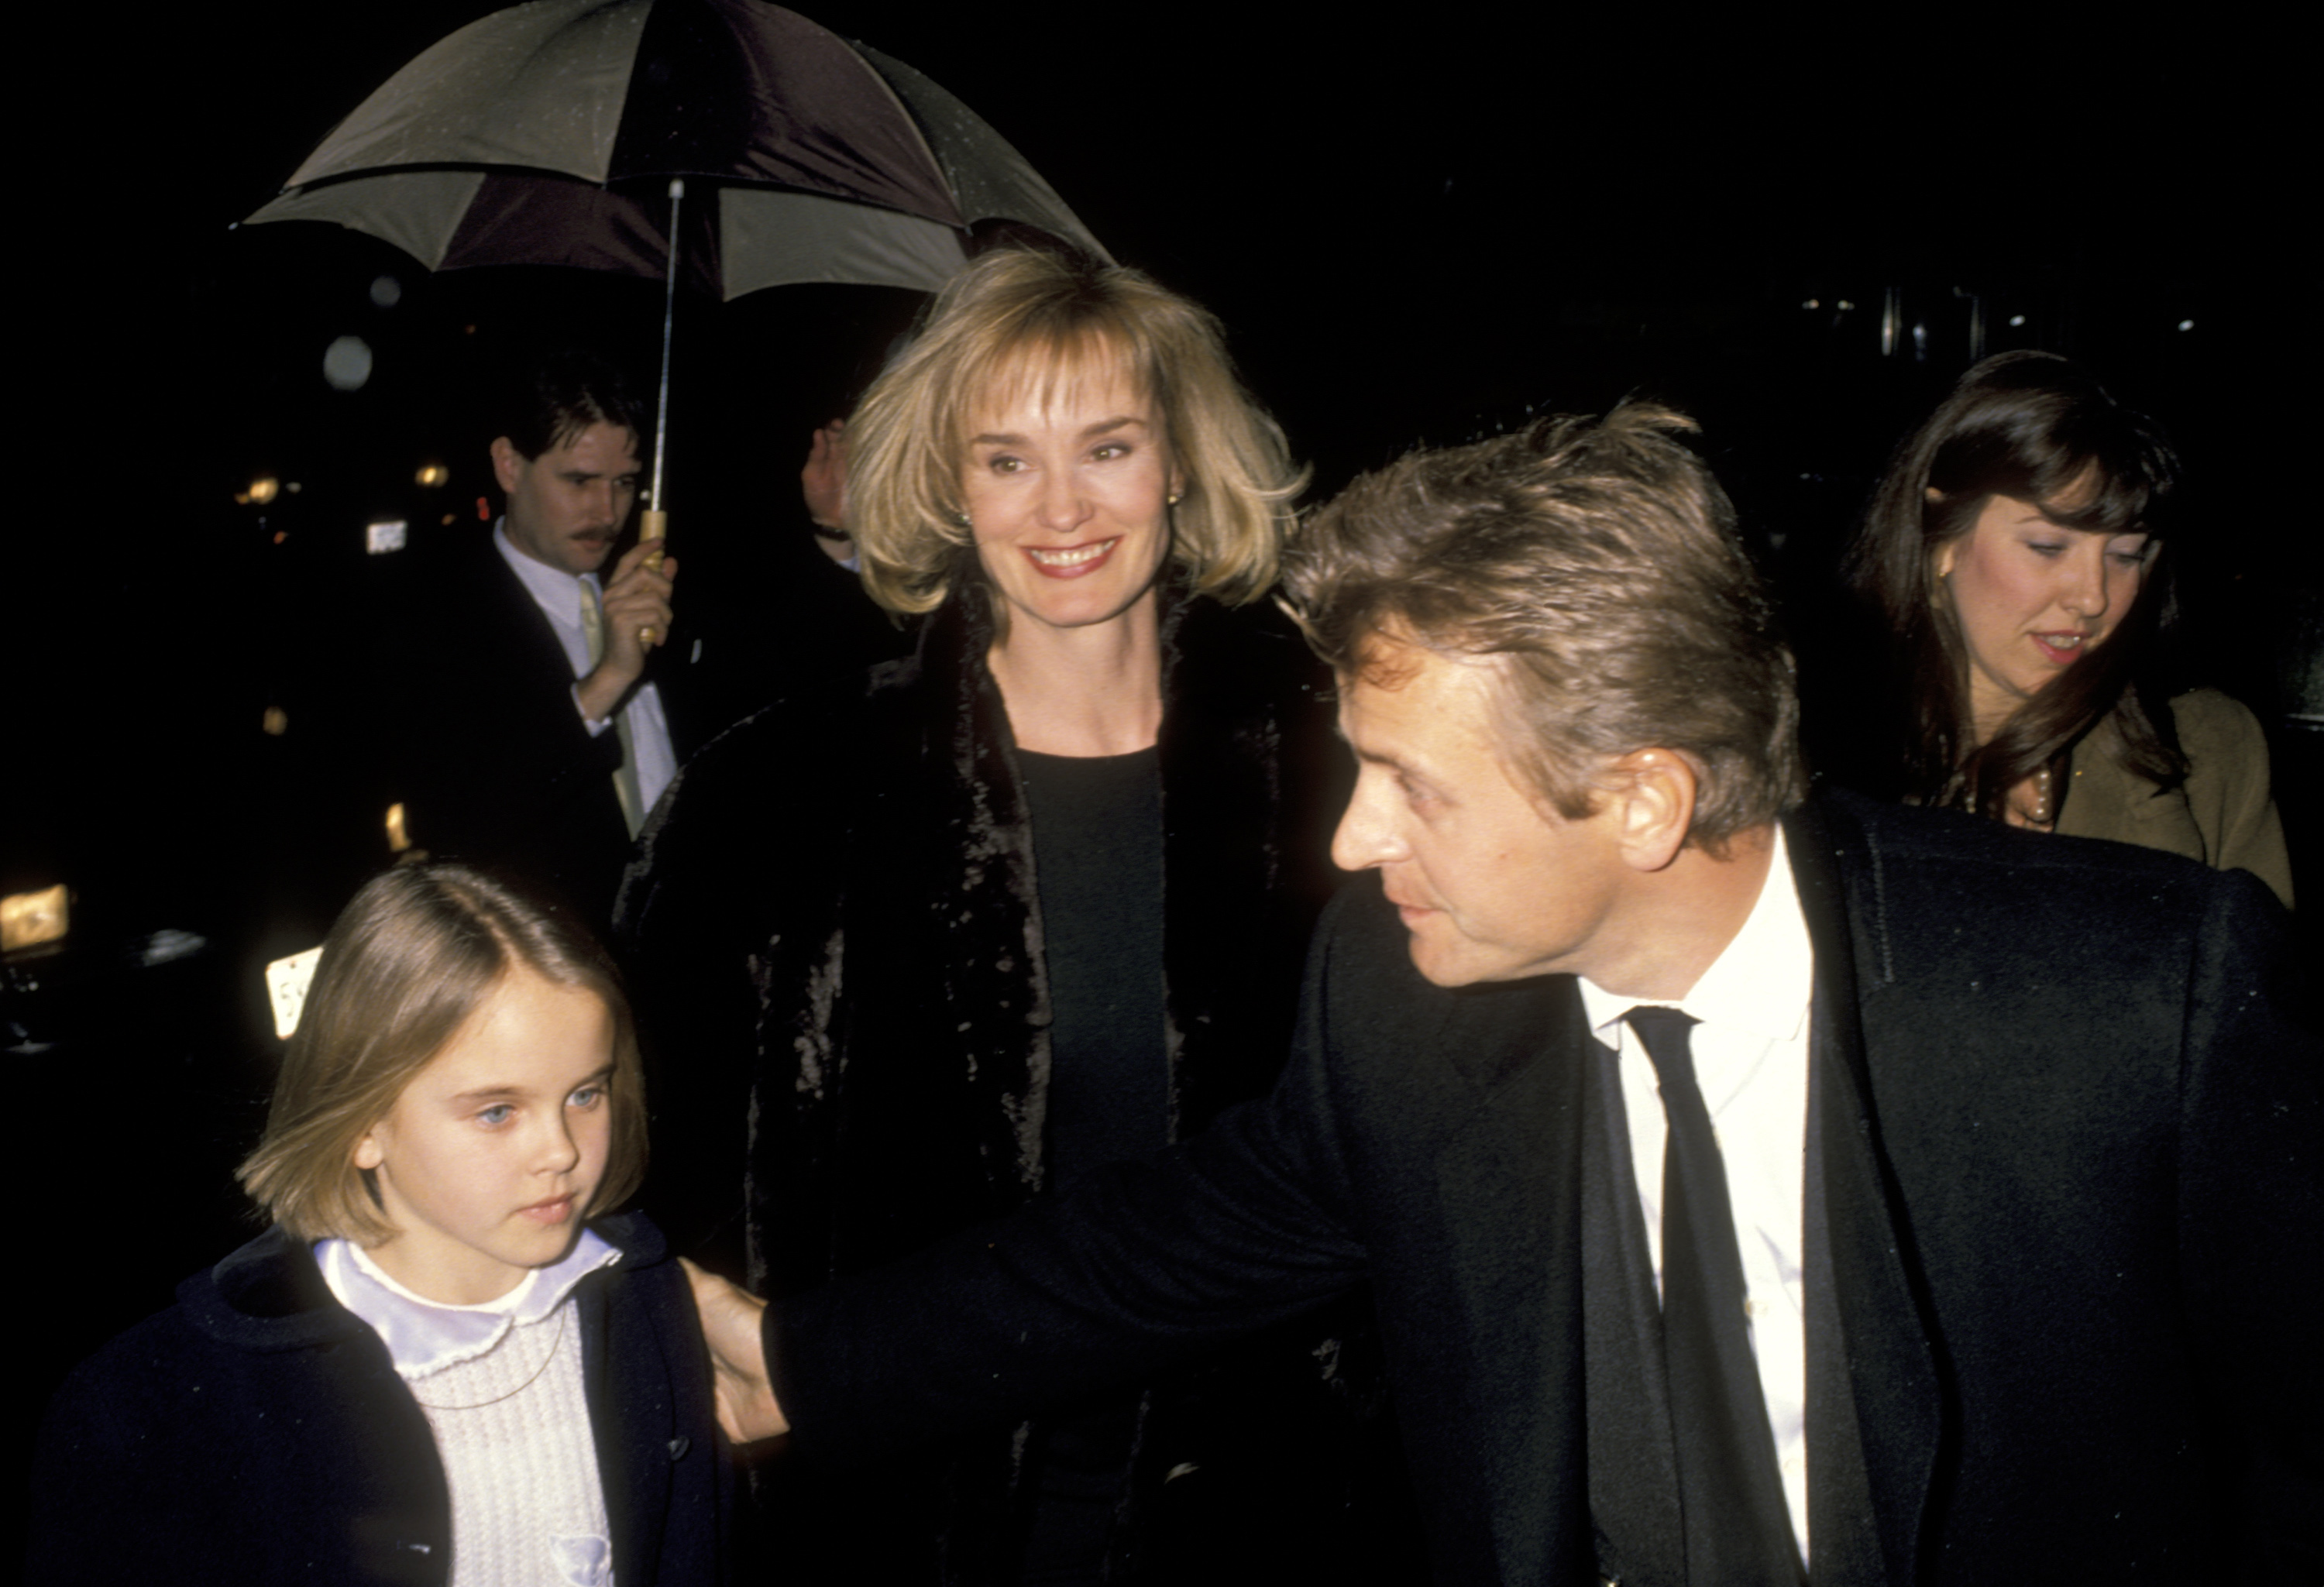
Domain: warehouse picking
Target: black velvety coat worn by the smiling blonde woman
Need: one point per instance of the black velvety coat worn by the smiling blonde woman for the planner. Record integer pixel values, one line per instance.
(835, 940)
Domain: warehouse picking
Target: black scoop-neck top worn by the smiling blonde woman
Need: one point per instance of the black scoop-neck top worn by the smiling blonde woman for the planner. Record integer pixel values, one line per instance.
(1098, 866)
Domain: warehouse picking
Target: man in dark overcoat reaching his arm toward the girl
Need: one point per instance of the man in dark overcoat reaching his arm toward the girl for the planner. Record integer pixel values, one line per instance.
(1751, 1186)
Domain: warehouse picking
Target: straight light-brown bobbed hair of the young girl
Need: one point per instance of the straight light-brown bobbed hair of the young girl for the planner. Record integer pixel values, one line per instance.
(410, 961)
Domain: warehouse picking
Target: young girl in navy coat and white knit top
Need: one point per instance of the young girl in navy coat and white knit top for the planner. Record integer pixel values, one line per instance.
(433, 1367)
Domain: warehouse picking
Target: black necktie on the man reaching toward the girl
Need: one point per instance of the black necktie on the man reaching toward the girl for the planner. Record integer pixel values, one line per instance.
(1730, 1493)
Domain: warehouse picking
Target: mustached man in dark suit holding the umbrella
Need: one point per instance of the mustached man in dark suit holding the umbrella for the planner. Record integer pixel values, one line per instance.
(538, 708)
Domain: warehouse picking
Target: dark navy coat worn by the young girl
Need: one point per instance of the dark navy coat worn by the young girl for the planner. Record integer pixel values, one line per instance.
(257, 1432)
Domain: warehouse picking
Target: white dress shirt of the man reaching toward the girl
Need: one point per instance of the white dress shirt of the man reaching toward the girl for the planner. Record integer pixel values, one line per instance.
(1751, 1063)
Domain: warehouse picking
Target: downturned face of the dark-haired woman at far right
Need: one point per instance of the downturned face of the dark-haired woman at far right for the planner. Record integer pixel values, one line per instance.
(2032, 598)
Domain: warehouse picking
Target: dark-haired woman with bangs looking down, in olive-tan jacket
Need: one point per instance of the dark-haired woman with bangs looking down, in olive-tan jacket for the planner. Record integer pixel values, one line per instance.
(2016, 554)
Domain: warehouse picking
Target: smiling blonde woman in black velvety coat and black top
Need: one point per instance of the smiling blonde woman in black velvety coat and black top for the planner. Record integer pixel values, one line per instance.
(1021, 905)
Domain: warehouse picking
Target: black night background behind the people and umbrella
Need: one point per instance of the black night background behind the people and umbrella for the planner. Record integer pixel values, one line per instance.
(1414, 229)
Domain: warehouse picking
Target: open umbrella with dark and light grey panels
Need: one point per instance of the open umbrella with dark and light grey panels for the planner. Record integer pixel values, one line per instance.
(561, 131)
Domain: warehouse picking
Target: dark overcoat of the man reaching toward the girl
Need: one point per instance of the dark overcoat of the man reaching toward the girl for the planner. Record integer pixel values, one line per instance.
(2065, 1214)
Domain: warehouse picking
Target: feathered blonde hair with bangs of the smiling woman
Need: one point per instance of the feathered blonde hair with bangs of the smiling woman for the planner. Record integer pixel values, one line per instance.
(1021, 324)
